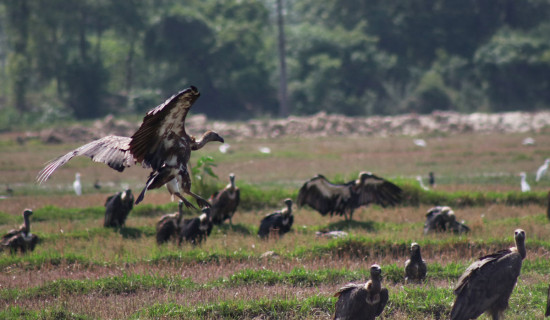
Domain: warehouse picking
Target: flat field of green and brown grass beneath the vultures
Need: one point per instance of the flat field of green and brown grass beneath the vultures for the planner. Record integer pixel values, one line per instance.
(81, 270)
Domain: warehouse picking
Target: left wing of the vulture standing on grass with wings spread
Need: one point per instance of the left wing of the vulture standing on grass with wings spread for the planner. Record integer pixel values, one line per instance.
(324, 196)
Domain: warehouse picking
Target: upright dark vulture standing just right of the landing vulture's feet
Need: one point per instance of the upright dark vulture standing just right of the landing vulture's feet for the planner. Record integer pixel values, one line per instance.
(225, 202)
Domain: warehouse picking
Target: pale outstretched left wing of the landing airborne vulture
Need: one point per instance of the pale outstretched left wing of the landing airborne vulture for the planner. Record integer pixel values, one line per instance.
(111, 150)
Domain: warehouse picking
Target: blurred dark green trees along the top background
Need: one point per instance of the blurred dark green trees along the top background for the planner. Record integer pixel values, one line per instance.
(84, 59)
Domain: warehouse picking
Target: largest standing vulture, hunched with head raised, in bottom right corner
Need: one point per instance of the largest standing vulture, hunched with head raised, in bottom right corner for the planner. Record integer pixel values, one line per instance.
(487, 284)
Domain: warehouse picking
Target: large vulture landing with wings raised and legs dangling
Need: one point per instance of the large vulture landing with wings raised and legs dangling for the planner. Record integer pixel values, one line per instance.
(161, 144)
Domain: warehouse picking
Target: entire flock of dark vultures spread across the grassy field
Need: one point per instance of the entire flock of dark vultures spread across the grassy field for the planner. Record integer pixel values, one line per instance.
(162, 145)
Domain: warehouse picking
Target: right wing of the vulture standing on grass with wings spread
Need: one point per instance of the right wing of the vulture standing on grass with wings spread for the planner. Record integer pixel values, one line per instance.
(379, 191)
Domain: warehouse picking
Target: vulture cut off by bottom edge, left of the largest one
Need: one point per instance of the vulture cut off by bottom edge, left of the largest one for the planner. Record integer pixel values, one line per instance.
(362, 301)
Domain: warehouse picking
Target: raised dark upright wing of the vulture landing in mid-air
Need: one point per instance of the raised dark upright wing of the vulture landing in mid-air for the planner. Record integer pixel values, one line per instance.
(149, 140)
